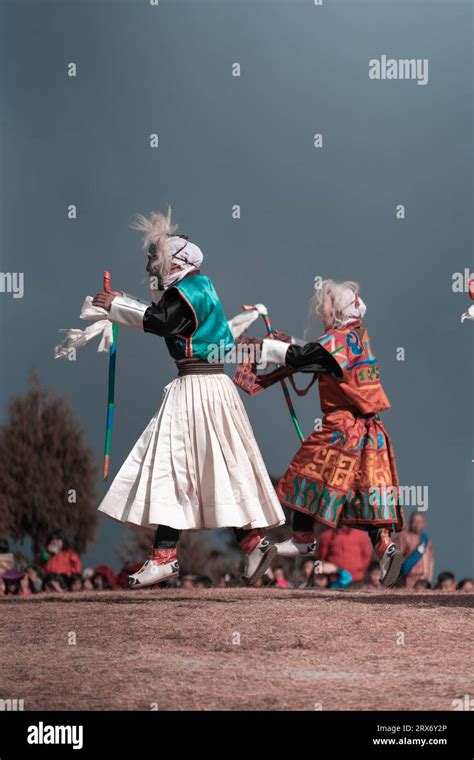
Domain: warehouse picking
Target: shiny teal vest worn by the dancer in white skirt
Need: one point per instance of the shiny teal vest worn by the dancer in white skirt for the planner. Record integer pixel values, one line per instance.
(212, 332)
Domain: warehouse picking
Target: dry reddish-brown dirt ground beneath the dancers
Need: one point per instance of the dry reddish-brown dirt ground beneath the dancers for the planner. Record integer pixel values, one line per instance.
(230, 649)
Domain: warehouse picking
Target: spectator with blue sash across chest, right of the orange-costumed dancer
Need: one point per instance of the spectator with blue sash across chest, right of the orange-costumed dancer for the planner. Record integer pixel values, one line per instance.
(417, 550)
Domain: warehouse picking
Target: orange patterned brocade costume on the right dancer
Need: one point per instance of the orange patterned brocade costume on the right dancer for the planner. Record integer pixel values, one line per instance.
(345, 472)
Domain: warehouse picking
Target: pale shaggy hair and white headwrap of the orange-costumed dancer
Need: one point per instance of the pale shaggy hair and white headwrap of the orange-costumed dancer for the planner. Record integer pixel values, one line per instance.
(333, 303)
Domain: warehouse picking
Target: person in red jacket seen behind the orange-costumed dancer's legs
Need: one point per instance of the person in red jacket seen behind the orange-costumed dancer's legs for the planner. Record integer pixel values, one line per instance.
(348, 548)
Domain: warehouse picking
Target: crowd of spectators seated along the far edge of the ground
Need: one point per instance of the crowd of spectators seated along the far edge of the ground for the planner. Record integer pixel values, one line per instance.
(344, 560)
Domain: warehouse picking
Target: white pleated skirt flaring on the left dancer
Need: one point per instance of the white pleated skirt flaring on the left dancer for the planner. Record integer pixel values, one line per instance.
(197, 464)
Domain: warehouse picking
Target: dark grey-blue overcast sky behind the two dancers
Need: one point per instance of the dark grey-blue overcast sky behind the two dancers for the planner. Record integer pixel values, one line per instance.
(305, 211)
